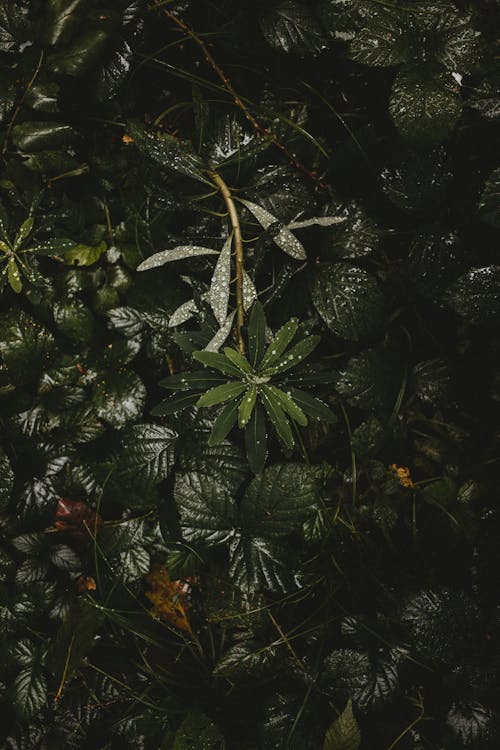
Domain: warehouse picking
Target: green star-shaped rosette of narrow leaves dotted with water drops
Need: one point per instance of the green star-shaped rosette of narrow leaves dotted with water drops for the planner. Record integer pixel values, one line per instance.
(258, 390)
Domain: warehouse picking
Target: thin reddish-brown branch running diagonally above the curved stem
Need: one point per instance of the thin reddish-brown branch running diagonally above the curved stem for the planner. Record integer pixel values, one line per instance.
(260, 129)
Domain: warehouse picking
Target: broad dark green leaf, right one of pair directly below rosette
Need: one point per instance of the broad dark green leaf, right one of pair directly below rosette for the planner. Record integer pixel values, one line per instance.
(278, 501)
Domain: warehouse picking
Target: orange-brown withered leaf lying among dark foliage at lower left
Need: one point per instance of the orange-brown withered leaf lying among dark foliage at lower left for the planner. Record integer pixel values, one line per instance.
(170, 599)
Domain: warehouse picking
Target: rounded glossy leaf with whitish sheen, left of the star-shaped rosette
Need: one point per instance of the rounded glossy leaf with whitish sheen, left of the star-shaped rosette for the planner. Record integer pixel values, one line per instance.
(119, 397)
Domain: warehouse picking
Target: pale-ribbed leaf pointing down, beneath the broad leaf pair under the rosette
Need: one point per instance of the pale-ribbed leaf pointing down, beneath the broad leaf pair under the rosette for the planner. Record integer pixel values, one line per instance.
(258, 564)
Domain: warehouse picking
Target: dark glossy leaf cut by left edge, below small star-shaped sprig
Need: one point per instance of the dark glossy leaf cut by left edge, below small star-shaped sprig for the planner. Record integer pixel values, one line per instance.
(26, 346)
